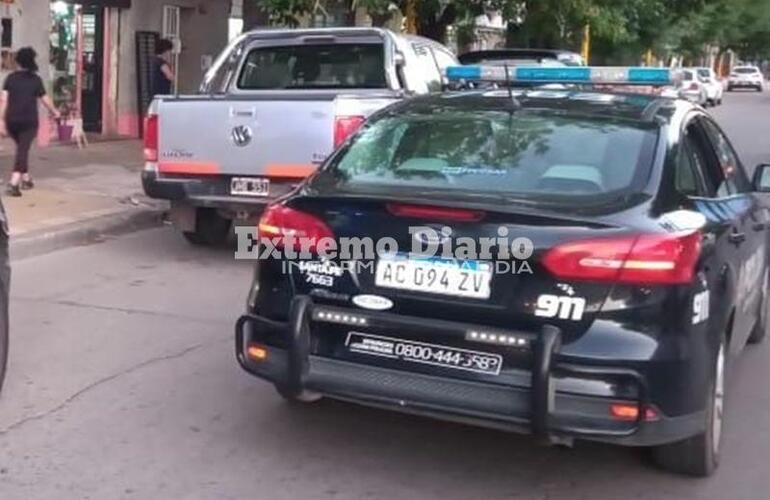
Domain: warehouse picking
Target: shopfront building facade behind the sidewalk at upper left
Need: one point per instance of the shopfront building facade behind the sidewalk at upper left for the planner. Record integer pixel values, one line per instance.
(91, 52)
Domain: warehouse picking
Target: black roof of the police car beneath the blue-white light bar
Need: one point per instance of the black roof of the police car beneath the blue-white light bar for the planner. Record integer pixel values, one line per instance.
(624, 106)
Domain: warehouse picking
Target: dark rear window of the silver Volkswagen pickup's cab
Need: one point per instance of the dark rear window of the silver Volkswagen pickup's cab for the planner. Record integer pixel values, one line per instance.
(323, 66)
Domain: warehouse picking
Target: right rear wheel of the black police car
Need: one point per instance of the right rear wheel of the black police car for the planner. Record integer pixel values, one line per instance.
(699, 455)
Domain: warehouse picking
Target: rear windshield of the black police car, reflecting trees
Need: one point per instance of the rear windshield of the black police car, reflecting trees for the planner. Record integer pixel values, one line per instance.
(531, 156)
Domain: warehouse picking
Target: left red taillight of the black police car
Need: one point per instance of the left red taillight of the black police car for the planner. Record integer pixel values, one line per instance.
(298, 229)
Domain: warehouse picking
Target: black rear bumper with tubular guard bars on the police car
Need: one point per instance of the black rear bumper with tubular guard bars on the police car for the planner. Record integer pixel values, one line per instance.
(549, 401)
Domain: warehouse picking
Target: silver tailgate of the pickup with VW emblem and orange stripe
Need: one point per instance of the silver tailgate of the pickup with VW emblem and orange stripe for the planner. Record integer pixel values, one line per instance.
(272, 133)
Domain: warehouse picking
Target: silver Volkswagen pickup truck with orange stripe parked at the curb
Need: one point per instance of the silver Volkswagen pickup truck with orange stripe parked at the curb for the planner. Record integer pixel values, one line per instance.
(271, 109)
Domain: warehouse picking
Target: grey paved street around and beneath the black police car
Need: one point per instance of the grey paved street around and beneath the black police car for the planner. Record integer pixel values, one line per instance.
(123, 384)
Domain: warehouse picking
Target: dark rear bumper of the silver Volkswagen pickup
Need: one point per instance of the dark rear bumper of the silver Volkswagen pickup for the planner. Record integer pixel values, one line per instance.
(212, 191)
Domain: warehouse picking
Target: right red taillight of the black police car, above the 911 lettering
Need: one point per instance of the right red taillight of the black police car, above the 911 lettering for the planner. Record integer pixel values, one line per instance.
(638, 259)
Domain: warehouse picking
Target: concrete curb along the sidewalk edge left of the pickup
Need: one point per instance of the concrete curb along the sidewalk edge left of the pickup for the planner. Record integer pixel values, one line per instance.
(84, 232)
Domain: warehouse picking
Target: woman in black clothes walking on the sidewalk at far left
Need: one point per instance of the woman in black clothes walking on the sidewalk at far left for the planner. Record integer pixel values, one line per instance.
(22, 91)
